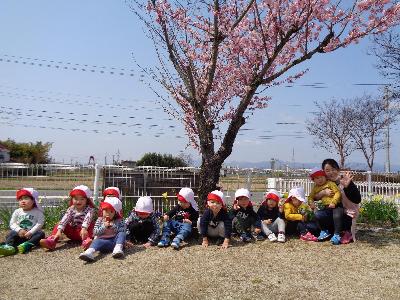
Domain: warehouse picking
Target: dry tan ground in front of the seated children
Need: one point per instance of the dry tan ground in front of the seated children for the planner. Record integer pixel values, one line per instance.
(368, 269)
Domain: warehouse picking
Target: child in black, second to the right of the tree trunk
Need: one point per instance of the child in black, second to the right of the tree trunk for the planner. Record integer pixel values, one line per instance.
(244, 216)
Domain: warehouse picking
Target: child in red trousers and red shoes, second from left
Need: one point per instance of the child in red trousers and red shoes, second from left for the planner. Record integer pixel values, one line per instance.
(77, 223)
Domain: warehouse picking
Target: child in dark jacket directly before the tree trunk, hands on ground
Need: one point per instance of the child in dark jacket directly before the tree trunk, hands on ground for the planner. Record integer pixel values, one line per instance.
(215, 222)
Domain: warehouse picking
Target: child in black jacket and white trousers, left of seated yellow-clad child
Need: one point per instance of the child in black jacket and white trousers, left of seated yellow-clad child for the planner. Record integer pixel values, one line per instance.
(271, 219)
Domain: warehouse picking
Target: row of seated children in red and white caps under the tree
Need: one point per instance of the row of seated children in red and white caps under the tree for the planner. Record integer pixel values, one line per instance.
(111, 232)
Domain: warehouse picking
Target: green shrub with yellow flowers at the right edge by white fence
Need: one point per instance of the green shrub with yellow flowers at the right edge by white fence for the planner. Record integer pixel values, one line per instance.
(379, 210)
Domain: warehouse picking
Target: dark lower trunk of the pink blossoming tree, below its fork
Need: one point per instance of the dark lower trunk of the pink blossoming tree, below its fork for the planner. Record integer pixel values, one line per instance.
(209, 177)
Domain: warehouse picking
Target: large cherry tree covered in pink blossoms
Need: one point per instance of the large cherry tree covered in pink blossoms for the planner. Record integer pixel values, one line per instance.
(218, 58)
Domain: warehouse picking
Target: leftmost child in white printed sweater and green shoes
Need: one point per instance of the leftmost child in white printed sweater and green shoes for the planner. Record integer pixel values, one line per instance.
(26, 224)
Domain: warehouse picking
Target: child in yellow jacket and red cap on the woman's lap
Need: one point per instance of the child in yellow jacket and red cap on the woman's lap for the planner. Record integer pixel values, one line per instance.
(331, 206)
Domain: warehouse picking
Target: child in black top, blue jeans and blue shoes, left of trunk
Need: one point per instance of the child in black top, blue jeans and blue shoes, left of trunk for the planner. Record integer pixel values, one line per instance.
(180, 219)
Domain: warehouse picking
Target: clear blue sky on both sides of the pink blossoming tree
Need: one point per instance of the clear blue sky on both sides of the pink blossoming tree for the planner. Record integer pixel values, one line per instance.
(39, 101)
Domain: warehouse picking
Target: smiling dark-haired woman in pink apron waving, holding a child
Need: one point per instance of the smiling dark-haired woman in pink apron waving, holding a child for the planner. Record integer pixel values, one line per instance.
(351, 199)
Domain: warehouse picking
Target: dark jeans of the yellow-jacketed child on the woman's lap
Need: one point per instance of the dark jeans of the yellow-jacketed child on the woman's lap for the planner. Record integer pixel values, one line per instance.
(330, 219)
